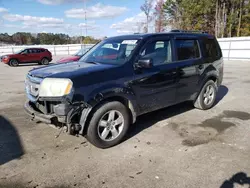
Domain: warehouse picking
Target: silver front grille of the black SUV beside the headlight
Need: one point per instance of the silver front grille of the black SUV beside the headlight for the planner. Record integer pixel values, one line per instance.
(32, 85)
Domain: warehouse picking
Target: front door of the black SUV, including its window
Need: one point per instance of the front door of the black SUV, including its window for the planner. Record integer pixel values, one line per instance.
(155, 87)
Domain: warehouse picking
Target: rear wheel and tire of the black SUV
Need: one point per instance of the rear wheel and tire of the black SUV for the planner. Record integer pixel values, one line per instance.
(207, 96)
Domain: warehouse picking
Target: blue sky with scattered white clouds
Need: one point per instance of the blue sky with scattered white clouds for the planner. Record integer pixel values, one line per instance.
(103, 17)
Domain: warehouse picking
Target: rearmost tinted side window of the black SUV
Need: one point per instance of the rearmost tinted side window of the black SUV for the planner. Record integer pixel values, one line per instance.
(211, 48)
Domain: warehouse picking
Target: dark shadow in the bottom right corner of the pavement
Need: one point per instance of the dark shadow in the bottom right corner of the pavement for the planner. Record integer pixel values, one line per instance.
(240, 178)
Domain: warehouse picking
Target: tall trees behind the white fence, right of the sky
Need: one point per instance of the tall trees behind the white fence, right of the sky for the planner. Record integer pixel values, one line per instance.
(219, 17)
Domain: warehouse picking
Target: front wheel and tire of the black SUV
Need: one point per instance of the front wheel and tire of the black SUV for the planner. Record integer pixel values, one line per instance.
(105, 129)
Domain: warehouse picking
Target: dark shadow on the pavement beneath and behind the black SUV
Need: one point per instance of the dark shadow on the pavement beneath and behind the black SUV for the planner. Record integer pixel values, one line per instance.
(147, 120)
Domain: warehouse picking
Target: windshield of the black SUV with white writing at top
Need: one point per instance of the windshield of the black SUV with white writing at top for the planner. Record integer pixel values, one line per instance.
(113, 51)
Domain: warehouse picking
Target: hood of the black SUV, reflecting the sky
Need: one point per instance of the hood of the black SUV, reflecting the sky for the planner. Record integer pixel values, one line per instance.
(68, 70)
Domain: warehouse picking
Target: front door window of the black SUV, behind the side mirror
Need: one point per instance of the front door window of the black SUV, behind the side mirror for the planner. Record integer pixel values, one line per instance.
(159, 51)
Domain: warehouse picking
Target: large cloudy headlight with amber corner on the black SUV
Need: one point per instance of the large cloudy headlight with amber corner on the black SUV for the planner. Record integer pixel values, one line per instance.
(55, 87)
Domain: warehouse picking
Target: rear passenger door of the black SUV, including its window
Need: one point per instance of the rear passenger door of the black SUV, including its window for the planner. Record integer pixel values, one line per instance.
(189, 60)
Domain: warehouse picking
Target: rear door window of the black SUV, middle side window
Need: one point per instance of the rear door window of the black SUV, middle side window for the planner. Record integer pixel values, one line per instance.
(187, 49)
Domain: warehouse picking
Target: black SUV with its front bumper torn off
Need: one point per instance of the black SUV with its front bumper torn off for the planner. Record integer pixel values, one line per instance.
(123, 77)
